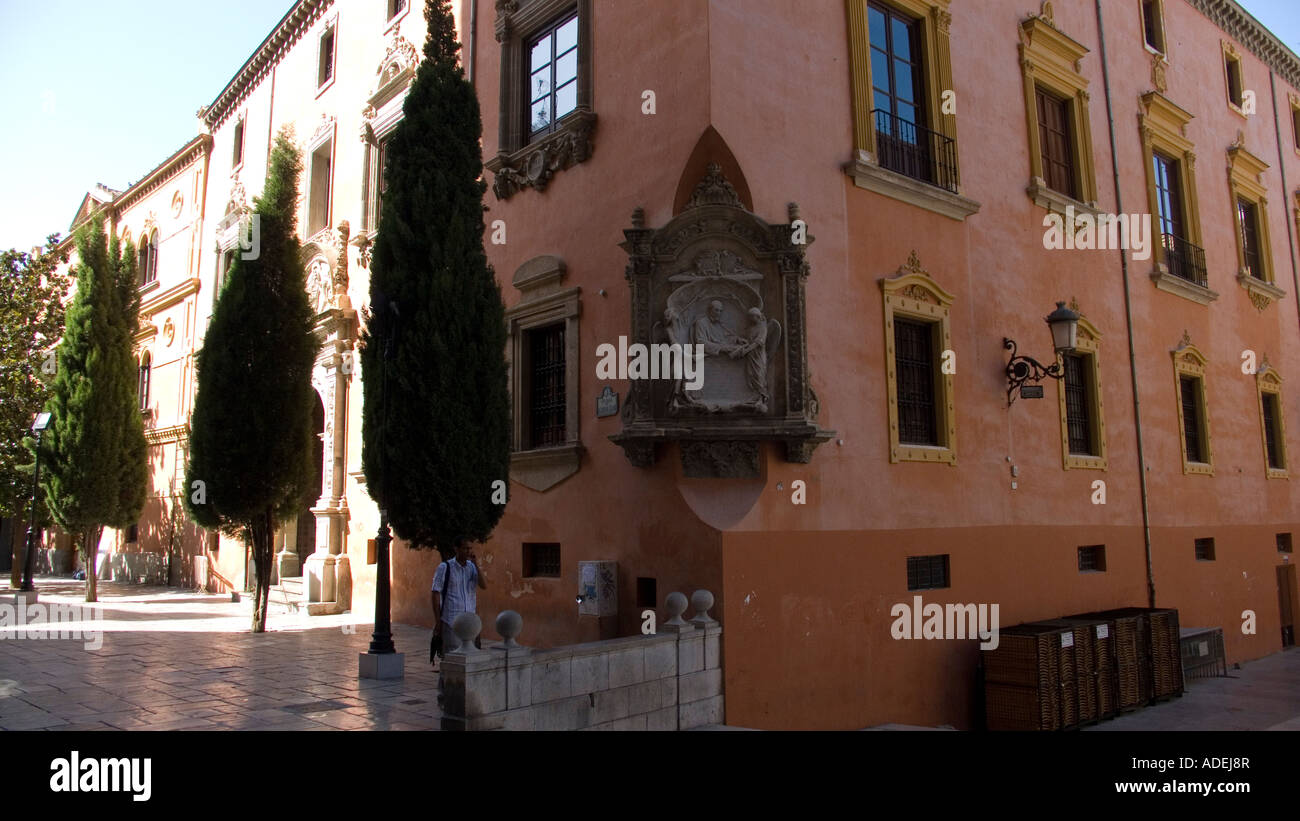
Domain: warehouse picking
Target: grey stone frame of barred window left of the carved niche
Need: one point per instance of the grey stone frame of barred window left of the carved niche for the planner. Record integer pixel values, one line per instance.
(544, 303)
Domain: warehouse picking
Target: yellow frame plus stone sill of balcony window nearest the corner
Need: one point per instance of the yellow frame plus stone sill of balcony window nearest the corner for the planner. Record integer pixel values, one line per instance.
(935, 21)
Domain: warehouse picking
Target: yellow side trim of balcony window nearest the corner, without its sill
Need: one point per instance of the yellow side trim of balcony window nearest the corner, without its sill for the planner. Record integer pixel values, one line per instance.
(937, 51)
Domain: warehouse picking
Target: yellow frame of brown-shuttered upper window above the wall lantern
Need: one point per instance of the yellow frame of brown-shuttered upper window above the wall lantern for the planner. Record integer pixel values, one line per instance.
(1050, 59)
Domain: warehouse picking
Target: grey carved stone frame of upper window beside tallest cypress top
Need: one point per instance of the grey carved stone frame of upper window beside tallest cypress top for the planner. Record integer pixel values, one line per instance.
(521, 164)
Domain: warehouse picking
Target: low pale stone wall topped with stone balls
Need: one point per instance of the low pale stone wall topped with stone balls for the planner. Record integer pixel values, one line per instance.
(668, 681)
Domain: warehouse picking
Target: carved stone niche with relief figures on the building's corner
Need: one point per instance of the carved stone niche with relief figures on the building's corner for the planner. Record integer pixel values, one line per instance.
(726, 283)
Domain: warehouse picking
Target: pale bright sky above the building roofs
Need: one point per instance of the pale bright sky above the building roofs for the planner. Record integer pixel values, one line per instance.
(94, 92)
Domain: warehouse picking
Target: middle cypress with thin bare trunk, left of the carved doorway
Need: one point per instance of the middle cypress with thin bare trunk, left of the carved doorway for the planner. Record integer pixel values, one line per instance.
(252, 428)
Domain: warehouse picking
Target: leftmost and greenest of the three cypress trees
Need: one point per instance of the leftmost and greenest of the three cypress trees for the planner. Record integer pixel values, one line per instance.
(93, 455)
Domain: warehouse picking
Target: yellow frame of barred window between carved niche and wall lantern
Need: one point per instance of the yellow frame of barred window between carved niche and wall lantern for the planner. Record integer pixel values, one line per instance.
(913, 294)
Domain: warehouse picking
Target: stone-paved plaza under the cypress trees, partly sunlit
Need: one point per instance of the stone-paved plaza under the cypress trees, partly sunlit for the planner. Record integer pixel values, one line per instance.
(179, 661)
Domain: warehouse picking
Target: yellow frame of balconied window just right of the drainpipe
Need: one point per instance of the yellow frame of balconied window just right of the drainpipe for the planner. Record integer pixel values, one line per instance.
(1163, 127)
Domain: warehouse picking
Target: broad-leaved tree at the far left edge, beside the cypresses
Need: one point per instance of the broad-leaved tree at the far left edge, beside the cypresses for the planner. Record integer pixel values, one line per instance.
(33, 289)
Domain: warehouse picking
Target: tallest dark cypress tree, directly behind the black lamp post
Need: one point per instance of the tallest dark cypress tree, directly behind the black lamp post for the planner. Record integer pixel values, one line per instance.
(436, 433)
